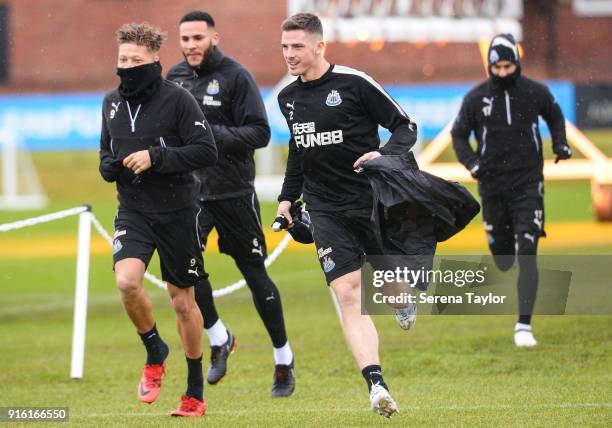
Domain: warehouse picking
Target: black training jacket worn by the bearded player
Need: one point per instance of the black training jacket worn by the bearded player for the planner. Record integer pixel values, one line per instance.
(227, 94)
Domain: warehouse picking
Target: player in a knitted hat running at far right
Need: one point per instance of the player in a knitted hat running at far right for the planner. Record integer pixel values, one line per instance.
(503, 113)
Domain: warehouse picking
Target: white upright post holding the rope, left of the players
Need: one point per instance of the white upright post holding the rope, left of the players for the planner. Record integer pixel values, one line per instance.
(80, 298)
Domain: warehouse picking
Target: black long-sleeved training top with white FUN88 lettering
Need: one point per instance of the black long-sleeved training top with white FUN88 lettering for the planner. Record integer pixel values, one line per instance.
(333, 121)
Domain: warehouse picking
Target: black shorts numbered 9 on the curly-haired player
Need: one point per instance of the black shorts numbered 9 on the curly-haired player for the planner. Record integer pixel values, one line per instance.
(173, 234)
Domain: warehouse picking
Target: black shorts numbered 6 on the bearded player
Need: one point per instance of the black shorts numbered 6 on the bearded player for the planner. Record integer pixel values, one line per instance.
(238, 223)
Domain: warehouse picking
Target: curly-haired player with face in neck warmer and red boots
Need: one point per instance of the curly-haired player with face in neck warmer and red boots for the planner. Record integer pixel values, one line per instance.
(154, 136)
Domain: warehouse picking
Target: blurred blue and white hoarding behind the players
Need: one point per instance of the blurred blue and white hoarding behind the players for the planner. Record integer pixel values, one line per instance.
(72, 121)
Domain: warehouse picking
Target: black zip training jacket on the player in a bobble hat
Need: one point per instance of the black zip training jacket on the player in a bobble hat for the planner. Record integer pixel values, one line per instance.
(505, 124)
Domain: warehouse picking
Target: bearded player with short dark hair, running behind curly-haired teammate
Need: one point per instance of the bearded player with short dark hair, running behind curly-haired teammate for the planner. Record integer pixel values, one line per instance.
(228, 95)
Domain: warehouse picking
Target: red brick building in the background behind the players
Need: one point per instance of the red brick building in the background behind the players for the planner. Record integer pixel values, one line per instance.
(68, 45)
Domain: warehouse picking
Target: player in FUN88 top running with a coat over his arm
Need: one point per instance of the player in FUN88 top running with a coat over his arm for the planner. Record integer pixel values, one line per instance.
(333, 113)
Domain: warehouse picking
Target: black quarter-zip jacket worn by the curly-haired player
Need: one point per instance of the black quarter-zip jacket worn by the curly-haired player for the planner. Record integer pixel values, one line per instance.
(171, 126)
